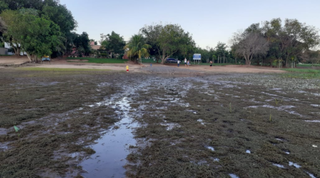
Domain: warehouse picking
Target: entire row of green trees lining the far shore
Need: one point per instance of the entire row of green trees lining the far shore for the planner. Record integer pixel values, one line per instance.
(45, 27)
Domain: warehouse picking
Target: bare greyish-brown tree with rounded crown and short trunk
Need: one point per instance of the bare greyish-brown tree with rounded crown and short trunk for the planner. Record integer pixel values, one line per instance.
(251, 44)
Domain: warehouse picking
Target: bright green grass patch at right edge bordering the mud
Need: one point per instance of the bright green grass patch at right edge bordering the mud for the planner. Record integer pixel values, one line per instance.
(302, 73)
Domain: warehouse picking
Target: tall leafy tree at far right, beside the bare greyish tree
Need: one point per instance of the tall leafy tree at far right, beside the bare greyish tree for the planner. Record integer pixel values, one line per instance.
(290, 41)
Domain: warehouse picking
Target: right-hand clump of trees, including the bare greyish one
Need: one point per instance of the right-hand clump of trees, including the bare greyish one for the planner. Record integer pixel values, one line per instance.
(277, 43)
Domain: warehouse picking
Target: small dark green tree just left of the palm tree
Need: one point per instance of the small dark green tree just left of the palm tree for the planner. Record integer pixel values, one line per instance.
(113, 43)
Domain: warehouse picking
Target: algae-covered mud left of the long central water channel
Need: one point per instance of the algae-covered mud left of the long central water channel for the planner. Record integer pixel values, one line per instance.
(45, 106)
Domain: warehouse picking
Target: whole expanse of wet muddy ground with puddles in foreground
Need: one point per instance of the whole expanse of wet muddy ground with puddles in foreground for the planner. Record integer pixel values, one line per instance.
(158, 124)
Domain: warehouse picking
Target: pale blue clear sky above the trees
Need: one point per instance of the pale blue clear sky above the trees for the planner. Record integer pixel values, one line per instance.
(209, 21)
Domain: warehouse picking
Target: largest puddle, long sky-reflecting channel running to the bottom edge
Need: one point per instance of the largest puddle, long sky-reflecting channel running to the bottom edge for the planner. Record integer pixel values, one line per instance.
(113, 147)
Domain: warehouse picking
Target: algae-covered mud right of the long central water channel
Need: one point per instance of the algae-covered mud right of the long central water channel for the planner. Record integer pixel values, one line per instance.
(208, 138)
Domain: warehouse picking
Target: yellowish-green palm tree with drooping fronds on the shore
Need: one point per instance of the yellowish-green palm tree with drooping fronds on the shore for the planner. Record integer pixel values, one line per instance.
(137, 47)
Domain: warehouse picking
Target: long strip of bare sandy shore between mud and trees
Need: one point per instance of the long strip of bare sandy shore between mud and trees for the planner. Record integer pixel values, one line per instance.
(156, 68)
